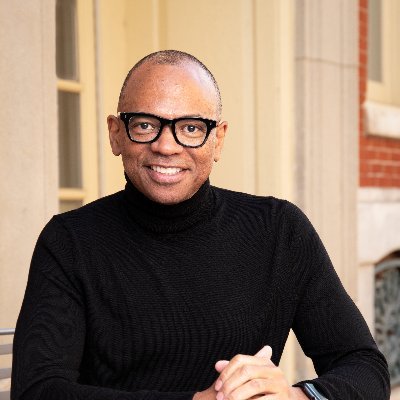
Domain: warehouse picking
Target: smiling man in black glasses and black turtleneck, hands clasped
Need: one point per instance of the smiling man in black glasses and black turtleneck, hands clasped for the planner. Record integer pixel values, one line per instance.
(172, 289)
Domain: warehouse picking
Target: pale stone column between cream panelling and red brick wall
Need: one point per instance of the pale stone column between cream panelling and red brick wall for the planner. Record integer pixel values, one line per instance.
(327, 128)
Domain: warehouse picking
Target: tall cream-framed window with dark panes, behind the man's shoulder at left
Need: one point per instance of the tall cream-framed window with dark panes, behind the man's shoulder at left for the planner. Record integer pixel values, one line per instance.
(77, 144)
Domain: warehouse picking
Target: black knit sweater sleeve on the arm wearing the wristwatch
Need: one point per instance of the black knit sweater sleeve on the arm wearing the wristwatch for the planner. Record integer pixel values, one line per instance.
(329, 326)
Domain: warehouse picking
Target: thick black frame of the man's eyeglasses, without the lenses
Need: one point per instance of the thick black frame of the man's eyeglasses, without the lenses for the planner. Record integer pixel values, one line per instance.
(126, 116)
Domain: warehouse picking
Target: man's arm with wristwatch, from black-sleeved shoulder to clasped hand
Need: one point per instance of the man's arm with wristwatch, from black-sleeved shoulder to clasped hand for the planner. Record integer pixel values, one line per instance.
(328, 325)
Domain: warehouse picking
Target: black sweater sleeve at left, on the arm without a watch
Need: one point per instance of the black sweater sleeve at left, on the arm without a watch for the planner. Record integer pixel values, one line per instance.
(50, 332)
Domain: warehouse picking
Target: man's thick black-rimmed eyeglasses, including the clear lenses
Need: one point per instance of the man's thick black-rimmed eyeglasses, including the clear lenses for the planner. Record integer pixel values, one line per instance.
(187, 131)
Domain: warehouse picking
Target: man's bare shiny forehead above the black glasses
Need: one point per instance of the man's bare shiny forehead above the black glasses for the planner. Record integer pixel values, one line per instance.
(171, 91)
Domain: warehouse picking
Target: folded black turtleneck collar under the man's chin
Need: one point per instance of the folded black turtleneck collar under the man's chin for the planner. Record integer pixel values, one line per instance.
(161, 218)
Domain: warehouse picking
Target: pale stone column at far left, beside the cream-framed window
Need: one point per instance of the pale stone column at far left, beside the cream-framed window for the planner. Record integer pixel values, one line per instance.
(28, 141)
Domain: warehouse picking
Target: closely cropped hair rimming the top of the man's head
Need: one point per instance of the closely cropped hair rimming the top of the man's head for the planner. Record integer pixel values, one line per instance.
(175, 58)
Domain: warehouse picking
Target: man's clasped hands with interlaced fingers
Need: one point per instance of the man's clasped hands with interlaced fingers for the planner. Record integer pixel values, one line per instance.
(250, 377)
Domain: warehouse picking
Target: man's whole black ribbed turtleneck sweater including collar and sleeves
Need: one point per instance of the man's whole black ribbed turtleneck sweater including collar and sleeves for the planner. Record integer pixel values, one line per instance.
(129, 299)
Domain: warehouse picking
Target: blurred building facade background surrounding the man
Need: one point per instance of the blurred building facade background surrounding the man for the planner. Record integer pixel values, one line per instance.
(311, 91)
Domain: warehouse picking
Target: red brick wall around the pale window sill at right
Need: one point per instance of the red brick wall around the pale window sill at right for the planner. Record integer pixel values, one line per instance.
(379, 157)
